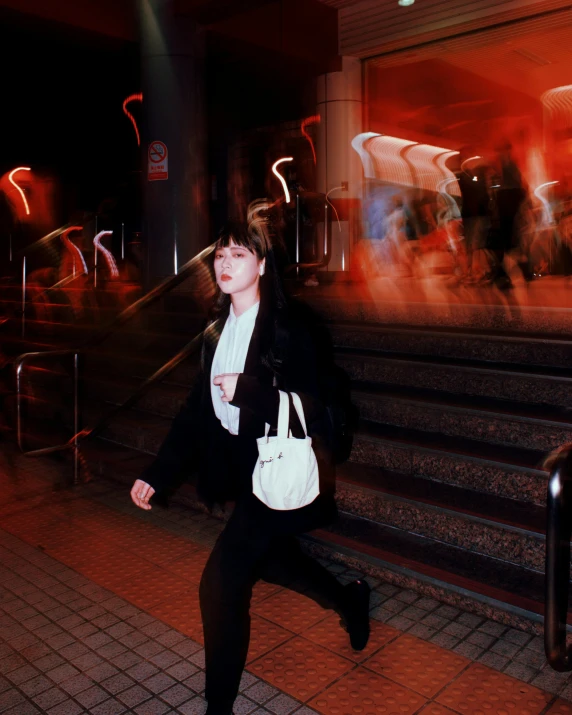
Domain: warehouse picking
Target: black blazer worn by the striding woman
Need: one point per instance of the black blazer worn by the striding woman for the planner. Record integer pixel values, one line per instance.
(195, 440)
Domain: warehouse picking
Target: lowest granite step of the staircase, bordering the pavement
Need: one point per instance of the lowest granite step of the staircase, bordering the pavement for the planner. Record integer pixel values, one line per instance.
(508, 592)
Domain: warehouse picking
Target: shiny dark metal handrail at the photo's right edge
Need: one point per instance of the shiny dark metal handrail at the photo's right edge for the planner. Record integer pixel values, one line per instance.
(557, 572)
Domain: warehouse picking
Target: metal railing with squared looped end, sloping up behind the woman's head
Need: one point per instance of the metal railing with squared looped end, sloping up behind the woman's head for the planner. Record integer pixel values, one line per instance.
(73, 444)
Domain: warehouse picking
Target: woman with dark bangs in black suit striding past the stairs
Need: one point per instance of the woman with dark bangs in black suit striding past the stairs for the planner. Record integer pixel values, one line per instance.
(249, 348)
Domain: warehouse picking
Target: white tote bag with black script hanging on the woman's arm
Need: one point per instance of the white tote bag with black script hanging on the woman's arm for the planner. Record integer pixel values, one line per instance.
(286, 474)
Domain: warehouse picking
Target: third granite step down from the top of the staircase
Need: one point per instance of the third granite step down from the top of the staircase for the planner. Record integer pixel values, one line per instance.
(495, 421)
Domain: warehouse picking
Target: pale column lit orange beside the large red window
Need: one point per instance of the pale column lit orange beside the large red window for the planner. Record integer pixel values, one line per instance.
(340, 106)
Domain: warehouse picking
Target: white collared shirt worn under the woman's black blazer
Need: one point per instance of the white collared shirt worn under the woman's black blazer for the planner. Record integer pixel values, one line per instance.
(230, 356)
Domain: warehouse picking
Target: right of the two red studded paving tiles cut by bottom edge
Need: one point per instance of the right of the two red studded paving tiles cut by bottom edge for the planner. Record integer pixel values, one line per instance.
(481, 687)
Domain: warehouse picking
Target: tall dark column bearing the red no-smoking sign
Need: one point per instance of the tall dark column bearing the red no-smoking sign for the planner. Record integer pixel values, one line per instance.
(175, 209)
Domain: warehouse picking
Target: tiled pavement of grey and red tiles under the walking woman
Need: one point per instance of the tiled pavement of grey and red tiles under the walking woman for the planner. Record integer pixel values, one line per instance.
(99, 614)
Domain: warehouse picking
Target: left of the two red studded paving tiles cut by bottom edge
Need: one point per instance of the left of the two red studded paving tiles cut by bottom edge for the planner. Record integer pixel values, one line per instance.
(362, 691)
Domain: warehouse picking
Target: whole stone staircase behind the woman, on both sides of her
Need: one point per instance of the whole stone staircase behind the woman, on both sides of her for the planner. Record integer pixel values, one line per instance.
(445, 489)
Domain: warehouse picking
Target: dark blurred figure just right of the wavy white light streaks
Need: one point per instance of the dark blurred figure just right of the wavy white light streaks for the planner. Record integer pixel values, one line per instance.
(475, 206)
